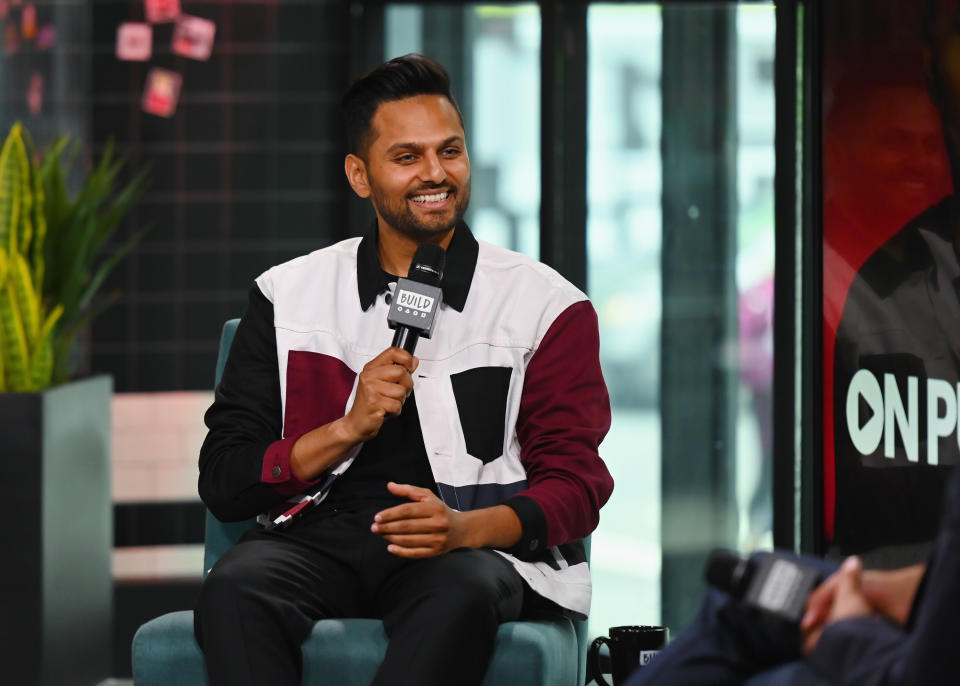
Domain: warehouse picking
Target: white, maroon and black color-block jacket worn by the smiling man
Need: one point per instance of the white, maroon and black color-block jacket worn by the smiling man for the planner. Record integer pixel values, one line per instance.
(509, 391)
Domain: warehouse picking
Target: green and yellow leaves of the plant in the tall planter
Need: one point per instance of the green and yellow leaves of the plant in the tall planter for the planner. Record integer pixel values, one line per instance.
(58, 220)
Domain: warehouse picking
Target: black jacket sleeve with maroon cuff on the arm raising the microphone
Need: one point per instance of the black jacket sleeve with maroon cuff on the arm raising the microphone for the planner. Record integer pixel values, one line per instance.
(244, 460)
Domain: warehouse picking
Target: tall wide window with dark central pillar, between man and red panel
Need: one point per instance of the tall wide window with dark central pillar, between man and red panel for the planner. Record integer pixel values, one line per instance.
(636, 279)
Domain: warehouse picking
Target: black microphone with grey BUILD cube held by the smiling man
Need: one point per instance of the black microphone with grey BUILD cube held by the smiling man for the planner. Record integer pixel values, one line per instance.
(417, 298)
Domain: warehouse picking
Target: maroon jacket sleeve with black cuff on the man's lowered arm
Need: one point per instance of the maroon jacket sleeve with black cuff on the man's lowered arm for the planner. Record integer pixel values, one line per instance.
(564, 414)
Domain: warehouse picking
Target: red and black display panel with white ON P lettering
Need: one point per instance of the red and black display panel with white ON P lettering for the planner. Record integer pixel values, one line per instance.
(891, 272)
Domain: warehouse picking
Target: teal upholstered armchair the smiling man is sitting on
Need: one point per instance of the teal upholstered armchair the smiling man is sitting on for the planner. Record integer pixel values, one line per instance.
(348, 651)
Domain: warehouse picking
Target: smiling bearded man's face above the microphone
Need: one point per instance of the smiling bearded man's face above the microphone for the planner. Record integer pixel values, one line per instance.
(416, 172)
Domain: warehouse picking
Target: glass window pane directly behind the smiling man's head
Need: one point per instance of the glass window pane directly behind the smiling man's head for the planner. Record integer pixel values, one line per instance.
(493, 53)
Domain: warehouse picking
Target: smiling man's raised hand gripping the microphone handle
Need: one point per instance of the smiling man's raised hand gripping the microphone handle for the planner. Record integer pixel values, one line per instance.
(382, 386)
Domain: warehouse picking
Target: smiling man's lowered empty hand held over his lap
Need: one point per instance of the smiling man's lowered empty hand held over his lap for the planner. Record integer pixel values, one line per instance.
(424, 527)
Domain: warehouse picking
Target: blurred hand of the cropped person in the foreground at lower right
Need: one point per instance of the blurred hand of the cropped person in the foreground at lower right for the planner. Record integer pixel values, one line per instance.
(839, 597)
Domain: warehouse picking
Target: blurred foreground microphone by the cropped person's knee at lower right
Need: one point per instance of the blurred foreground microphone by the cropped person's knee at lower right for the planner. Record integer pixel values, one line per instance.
(776, 584)
